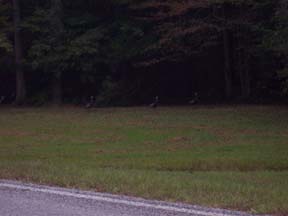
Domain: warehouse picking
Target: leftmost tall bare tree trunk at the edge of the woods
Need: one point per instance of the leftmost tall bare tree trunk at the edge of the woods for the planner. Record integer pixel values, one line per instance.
(20, 80)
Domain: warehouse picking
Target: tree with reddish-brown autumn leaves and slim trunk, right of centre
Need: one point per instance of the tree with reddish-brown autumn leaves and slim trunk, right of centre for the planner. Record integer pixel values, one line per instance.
(190, 28)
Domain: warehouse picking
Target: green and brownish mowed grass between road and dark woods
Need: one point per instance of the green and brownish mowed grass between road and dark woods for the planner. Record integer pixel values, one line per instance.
(230, 157)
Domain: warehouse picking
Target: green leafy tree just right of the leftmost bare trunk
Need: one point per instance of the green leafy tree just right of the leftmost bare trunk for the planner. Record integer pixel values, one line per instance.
(64, 41)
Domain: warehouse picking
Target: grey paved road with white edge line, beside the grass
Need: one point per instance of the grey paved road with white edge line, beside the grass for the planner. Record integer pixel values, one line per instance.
(18, 199)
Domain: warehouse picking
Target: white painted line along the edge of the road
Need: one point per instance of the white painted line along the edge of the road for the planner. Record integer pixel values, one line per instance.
(111, 200)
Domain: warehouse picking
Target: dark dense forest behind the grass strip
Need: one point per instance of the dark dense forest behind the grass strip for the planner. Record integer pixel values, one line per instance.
(127, 52)
